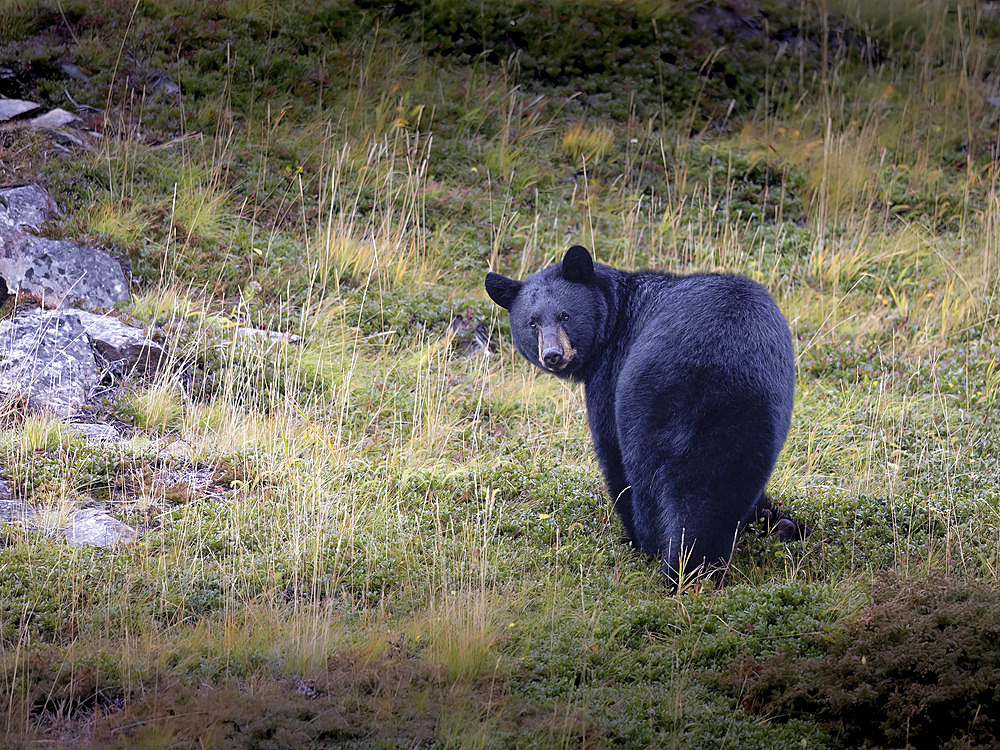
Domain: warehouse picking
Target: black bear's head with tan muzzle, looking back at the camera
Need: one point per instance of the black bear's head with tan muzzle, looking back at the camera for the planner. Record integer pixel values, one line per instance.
(557, 314)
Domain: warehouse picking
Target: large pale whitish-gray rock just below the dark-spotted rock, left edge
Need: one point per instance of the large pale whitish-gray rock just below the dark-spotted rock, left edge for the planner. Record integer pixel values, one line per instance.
(56, 358)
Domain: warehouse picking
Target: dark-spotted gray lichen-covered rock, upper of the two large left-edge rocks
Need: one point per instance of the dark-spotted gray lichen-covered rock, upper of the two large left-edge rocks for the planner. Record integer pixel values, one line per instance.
(60, 273)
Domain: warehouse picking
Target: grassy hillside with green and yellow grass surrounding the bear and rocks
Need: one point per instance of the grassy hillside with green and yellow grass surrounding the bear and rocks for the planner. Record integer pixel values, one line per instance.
(368, 538)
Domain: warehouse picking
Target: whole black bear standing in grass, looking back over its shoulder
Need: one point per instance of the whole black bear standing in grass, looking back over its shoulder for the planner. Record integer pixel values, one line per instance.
(689, 383)
